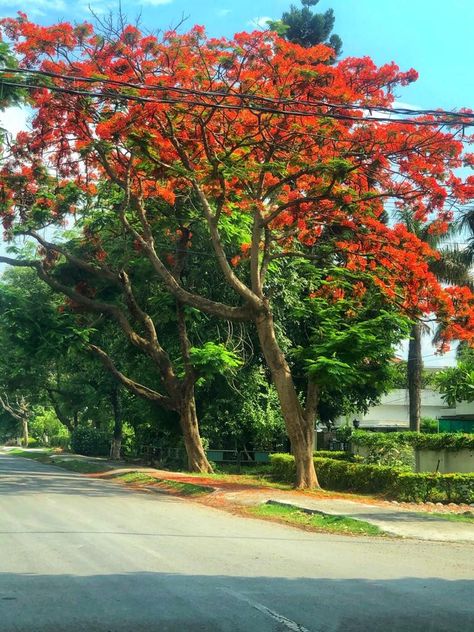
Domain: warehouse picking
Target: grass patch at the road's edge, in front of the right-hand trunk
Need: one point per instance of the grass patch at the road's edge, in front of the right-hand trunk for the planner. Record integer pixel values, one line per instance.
(316, 522)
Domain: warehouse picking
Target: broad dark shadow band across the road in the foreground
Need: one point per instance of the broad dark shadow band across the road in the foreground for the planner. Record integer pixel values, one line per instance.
(165, 602)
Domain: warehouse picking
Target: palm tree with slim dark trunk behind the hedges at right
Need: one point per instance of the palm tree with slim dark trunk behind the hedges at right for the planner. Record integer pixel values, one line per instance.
(453, 267)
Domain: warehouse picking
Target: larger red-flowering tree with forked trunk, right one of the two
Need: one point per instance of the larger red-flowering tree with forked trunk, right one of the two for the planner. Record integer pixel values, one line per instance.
(261, 145)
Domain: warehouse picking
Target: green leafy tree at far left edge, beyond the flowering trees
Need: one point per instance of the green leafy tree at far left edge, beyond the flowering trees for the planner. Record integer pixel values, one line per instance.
(43, 361)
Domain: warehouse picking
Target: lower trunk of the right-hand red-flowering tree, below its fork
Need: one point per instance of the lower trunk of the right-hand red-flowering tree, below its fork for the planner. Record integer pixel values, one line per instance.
(298, 425)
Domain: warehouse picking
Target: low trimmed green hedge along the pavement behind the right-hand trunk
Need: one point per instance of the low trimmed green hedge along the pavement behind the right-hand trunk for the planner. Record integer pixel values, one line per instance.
(340, 475)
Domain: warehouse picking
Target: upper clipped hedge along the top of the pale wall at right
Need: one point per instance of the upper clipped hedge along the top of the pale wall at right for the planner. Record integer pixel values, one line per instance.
(443, 441)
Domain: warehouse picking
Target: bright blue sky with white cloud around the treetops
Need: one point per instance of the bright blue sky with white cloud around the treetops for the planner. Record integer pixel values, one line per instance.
(431, 36)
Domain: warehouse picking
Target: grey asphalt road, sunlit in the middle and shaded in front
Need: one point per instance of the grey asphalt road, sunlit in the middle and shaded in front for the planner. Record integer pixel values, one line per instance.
(77, 554)
